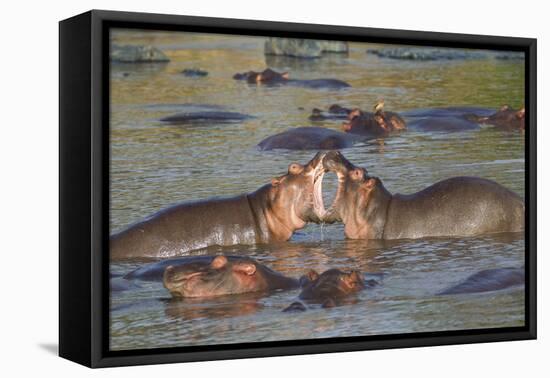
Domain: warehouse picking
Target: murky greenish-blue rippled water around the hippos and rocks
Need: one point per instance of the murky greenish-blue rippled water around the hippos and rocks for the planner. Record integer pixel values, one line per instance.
(154, 165)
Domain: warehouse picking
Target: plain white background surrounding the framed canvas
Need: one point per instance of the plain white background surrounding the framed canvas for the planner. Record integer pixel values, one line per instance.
(29, 189)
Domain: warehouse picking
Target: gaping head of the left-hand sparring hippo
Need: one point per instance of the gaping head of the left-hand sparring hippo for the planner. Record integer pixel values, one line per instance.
(295, 198)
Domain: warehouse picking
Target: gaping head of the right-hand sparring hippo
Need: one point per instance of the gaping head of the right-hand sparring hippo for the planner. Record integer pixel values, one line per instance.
(355, 190)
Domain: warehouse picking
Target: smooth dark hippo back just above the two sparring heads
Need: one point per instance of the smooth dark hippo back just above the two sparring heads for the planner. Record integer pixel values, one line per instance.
(309, 138)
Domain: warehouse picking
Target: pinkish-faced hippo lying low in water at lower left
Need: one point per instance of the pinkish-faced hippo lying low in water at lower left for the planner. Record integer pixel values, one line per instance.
(222, 276)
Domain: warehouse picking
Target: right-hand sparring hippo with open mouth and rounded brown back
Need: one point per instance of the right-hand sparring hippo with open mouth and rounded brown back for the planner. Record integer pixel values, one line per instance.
(459, 206)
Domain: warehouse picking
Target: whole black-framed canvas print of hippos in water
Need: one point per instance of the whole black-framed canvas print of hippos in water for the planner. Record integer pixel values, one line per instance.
(234, 188)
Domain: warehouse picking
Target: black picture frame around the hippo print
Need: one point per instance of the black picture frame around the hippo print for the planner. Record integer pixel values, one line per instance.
(84, 191)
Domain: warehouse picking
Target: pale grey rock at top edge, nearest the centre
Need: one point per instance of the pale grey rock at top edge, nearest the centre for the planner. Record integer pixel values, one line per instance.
(302, 48)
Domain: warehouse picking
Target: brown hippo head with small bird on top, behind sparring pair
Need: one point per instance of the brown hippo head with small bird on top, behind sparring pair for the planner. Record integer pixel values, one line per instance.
(377, 124)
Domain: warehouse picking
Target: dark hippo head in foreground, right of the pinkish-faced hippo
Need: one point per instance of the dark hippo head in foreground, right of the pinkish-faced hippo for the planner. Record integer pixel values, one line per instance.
(330, 288)
